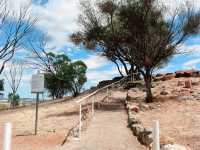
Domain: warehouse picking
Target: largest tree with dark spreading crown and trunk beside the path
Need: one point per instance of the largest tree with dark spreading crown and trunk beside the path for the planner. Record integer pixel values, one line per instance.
(137, 33)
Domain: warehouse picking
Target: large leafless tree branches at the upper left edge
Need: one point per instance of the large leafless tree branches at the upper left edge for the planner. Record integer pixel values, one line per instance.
(15, 27)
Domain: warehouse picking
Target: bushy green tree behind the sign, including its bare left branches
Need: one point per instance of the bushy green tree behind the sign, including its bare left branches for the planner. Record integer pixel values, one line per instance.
(62, 75)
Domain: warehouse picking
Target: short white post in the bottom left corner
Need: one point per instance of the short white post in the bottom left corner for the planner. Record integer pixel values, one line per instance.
(7, 136)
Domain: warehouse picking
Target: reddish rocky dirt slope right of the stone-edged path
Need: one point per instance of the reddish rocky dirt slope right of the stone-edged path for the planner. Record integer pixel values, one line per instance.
(178, 112)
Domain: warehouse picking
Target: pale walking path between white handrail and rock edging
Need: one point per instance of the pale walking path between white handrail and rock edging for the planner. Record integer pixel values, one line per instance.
(108, 131)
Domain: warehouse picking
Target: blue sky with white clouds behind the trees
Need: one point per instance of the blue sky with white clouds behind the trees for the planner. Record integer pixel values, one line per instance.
(58, 19)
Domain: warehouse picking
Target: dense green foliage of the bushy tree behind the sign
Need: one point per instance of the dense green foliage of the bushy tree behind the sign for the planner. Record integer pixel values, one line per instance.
(68, 77)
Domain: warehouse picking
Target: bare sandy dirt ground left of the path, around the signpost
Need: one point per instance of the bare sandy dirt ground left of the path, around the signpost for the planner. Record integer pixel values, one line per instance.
(54, 122)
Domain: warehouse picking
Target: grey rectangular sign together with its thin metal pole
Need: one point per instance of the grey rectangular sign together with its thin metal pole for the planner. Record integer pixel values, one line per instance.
(37, 87)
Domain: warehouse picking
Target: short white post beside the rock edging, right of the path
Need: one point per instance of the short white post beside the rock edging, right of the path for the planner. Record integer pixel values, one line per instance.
(156, 134)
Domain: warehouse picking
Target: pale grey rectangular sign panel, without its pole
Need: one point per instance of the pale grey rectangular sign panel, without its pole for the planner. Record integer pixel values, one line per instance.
(37, 83)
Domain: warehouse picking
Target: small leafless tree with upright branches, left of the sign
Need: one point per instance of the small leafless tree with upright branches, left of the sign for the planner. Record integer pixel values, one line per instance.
(14, 77)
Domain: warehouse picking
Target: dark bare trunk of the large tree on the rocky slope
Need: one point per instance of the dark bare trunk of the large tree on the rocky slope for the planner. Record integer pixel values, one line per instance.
(147, 79)
